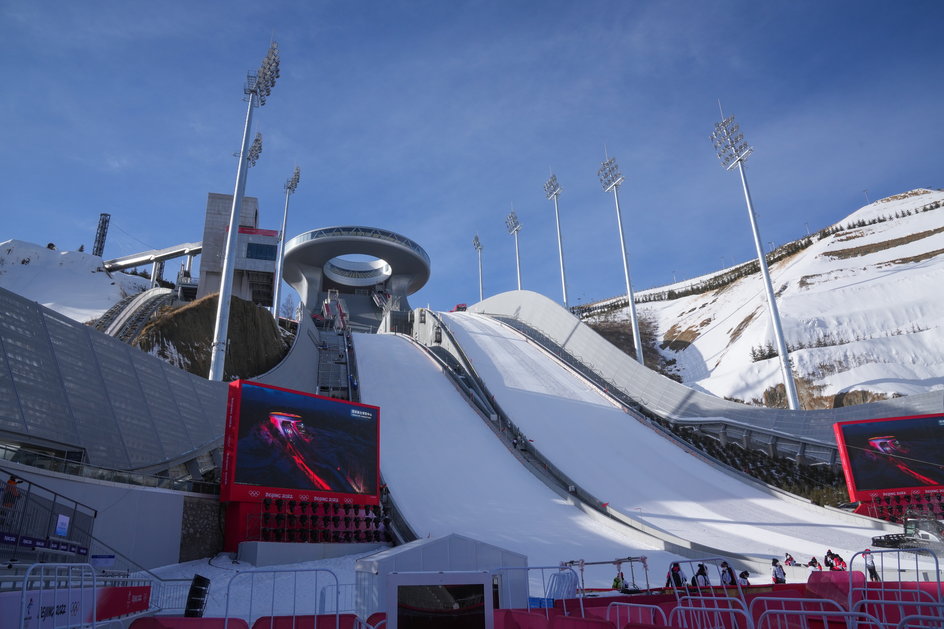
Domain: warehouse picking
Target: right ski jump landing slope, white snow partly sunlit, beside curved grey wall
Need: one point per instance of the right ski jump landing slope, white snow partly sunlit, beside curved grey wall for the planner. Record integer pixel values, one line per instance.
(641, 473)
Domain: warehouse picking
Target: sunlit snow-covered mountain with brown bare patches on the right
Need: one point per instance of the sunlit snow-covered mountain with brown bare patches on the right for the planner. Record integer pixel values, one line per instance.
(860, 304)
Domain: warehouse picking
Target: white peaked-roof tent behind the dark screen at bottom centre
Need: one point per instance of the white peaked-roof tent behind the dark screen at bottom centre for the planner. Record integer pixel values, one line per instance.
(449, 553)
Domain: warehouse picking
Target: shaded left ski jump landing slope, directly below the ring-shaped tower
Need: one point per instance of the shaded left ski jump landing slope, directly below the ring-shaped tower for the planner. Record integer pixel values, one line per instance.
(448, 473)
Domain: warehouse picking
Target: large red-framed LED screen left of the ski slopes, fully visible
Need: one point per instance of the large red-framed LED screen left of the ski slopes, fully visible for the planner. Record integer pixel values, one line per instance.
(296, 446)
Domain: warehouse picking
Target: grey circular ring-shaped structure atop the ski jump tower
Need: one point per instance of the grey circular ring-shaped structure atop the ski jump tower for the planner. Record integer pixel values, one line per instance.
(313, 262)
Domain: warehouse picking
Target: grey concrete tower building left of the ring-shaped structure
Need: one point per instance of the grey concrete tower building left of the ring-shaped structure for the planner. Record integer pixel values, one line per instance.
(256, 251)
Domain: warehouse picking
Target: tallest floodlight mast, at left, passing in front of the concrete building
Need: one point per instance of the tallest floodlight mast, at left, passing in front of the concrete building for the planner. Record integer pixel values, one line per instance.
(258, 87)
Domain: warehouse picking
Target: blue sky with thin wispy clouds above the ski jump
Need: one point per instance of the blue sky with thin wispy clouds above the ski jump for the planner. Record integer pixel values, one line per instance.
(433, 119)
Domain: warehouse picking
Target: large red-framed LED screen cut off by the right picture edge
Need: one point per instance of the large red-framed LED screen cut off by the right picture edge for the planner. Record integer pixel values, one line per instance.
(886, 456)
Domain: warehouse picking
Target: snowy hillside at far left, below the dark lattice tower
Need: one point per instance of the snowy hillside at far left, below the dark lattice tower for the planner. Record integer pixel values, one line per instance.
(72, 283)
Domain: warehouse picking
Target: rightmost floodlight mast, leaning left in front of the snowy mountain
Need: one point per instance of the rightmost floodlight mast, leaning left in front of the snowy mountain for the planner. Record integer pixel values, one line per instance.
(733, 151)
